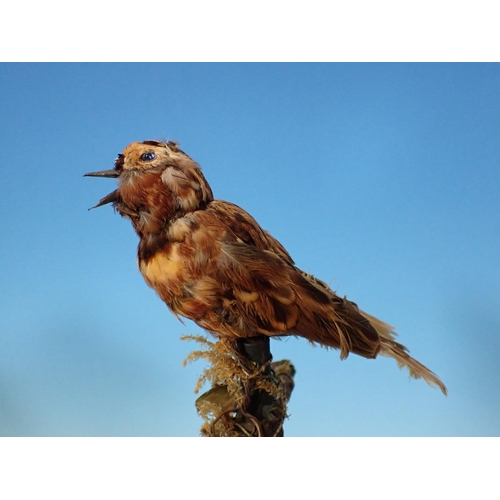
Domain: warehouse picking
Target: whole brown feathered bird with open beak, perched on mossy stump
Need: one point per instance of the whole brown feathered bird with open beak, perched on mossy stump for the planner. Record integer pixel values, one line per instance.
(212, 263)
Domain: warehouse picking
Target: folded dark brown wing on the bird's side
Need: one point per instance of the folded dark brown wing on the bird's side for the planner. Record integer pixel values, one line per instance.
(285, 300)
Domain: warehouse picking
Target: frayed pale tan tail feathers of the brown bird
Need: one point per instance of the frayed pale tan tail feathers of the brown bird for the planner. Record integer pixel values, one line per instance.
(392, 349)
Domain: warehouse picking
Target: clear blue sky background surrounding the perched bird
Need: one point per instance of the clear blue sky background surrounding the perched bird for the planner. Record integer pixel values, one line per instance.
(381, 178)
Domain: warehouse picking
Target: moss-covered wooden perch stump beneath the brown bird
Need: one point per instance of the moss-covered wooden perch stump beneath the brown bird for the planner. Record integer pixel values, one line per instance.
(250, 393)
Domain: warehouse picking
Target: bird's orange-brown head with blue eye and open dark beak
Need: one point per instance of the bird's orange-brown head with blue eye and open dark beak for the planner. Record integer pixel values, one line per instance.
(155, 178)
